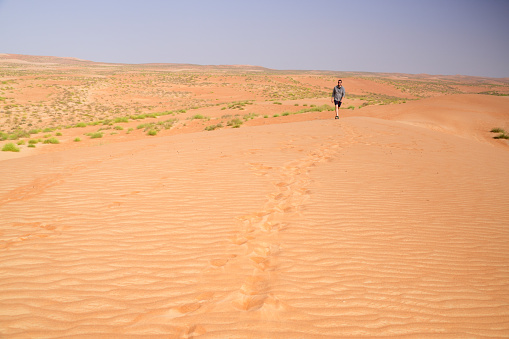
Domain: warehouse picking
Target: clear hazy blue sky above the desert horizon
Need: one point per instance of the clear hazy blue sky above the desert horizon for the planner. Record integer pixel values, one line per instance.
(469, 37)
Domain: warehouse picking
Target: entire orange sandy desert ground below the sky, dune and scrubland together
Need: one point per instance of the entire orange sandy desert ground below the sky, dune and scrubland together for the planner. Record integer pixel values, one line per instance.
(187, 201)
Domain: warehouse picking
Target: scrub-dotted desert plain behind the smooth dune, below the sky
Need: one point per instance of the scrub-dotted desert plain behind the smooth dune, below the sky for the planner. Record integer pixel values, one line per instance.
(62, 100)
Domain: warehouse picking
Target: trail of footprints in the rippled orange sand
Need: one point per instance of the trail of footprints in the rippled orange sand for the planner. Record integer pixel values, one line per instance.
(258, 233)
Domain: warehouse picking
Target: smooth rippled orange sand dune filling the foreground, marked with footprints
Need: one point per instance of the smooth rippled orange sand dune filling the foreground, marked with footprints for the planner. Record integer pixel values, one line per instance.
(392, 221)
